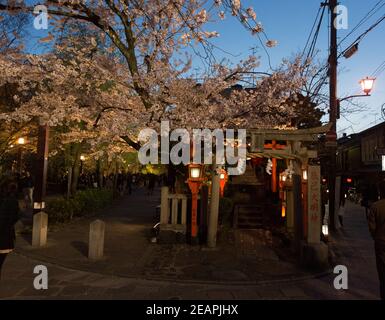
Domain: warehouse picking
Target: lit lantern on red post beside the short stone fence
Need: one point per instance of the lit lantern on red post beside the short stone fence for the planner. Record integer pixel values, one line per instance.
(194, 181)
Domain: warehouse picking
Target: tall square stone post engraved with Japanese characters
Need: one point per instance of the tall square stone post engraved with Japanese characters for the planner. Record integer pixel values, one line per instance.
(314, 204)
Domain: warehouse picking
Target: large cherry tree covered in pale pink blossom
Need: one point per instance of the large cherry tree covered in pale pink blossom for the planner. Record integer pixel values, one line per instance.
(135, 71)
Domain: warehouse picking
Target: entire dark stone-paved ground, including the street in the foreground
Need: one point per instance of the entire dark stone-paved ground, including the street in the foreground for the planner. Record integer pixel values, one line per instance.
(72, 276)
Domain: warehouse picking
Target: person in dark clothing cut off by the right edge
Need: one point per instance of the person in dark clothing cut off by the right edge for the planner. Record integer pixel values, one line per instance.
(376, 221)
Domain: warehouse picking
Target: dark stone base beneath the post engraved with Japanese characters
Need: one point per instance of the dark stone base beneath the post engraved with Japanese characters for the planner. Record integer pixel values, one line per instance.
(314, 256)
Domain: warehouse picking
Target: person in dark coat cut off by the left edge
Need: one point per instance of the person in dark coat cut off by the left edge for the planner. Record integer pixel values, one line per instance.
(9, 211)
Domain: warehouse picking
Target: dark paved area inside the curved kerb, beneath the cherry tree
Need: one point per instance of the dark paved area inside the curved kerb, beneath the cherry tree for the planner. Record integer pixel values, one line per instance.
(130, 253)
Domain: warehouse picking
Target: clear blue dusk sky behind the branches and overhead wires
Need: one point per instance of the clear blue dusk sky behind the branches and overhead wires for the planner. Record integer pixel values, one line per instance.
(290, 22)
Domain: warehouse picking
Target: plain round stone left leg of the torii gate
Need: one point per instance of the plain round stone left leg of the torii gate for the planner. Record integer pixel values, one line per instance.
(214, 211)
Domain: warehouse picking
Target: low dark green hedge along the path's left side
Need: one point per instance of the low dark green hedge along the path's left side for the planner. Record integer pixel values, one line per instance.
(82, 204)
